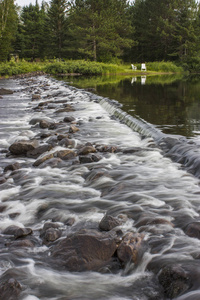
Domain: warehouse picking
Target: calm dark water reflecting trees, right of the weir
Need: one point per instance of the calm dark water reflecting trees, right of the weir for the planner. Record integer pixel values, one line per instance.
(170, 102)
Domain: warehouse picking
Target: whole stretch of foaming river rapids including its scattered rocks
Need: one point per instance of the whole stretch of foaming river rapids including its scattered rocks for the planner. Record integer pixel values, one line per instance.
(90, 161)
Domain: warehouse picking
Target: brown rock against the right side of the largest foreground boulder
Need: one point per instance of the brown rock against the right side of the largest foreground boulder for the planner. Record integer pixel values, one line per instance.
(130, 248)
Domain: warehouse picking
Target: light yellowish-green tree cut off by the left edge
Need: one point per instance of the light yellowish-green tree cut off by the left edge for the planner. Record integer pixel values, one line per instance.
(8, 25)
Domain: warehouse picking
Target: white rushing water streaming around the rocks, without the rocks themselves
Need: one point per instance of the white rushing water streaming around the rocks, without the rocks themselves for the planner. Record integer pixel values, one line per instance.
(143, 184)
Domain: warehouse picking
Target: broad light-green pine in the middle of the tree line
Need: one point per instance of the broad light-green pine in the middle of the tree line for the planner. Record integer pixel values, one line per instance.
(100, 28)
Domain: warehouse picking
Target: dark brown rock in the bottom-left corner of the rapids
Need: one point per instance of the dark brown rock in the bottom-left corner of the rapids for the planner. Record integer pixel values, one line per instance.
(10, 289)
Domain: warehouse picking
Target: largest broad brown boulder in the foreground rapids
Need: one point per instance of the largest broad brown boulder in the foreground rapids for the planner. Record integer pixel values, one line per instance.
(84, 251)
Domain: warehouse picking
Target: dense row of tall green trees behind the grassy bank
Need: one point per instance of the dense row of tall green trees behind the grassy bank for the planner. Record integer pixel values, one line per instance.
(101, 30)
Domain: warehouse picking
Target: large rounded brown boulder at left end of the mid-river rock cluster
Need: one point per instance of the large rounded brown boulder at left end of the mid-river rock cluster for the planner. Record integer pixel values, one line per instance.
(23, 146)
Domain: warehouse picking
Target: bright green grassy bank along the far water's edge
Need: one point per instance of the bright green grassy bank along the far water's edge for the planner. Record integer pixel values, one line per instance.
(82, 67)
